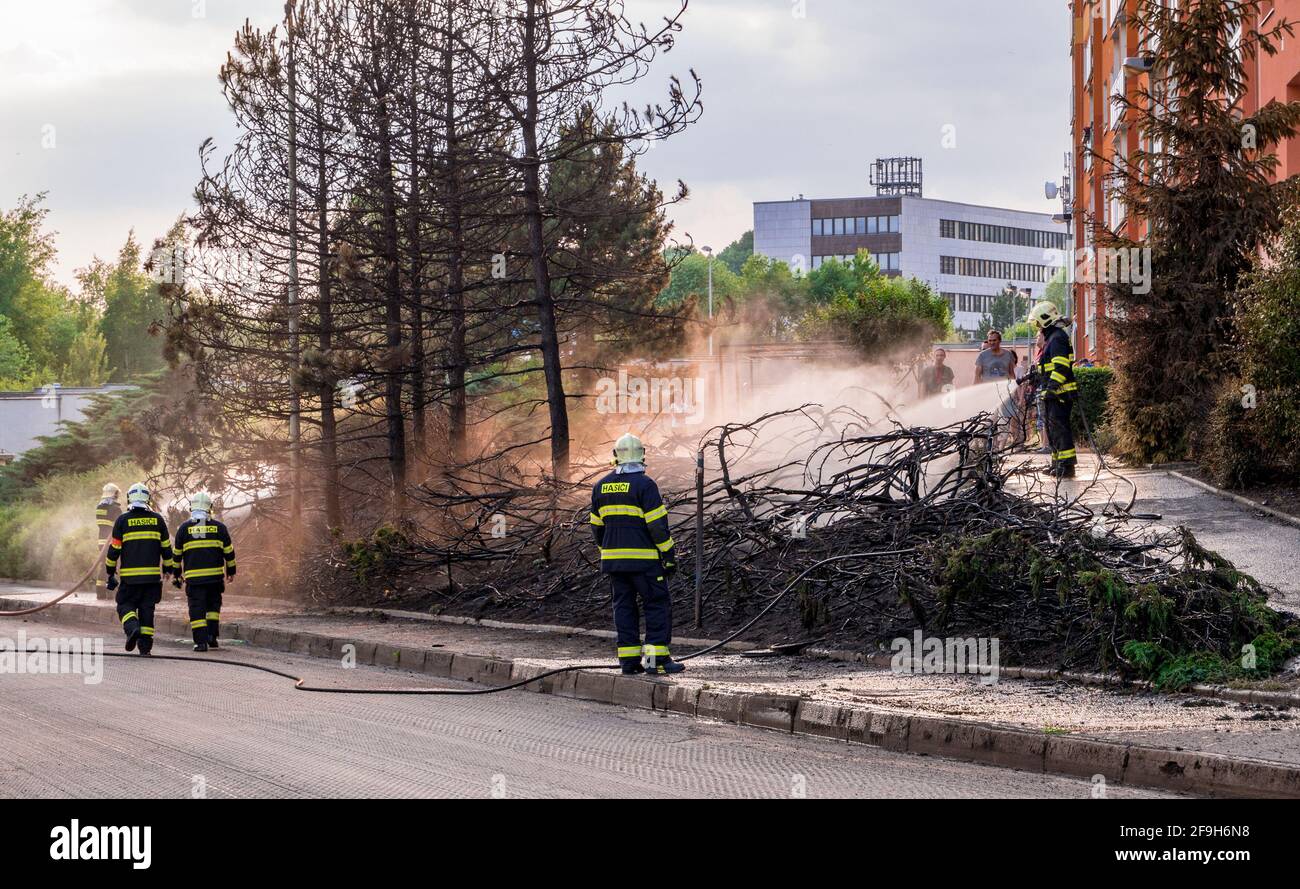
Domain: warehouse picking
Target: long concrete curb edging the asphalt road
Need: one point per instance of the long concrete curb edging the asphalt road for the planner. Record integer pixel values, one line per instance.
(982, 743)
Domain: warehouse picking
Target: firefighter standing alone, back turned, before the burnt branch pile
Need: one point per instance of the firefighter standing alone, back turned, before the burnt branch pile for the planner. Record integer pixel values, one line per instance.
(630, 523)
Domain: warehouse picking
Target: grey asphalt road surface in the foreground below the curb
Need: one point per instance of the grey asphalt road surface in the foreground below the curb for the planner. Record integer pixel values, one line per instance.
(172, 730)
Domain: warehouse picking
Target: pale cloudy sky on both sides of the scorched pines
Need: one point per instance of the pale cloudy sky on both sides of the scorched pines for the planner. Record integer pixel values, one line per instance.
(105, 105)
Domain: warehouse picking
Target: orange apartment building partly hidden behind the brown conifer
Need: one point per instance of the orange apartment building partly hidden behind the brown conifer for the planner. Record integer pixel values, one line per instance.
(1104, 38)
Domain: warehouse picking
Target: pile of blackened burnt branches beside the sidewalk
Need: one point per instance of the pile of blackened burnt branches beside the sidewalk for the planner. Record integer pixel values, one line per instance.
(857, 532)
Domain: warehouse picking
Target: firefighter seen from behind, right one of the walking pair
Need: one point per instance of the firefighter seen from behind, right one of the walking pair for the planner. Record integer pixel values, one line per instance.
(205, 561)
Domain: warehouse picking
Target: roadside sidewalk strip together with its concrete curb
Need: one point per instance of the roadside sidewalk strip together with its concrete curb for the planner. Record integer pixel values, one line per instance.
(1180, 743)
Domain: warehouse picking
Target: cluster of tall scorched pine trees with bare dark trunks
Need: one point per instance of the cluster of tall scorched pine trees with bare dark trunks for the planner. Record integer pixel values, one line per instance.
(430, 229)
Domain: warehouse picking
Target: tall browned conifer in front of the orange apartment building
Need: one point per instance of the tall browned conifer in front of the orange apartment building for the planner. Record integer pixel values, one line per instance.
(1203, 185)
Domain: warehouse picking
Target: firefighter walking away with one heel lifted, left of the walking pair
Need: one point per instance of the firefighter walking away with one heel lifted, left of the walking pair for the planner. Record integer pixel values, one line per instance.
(140, 550)
